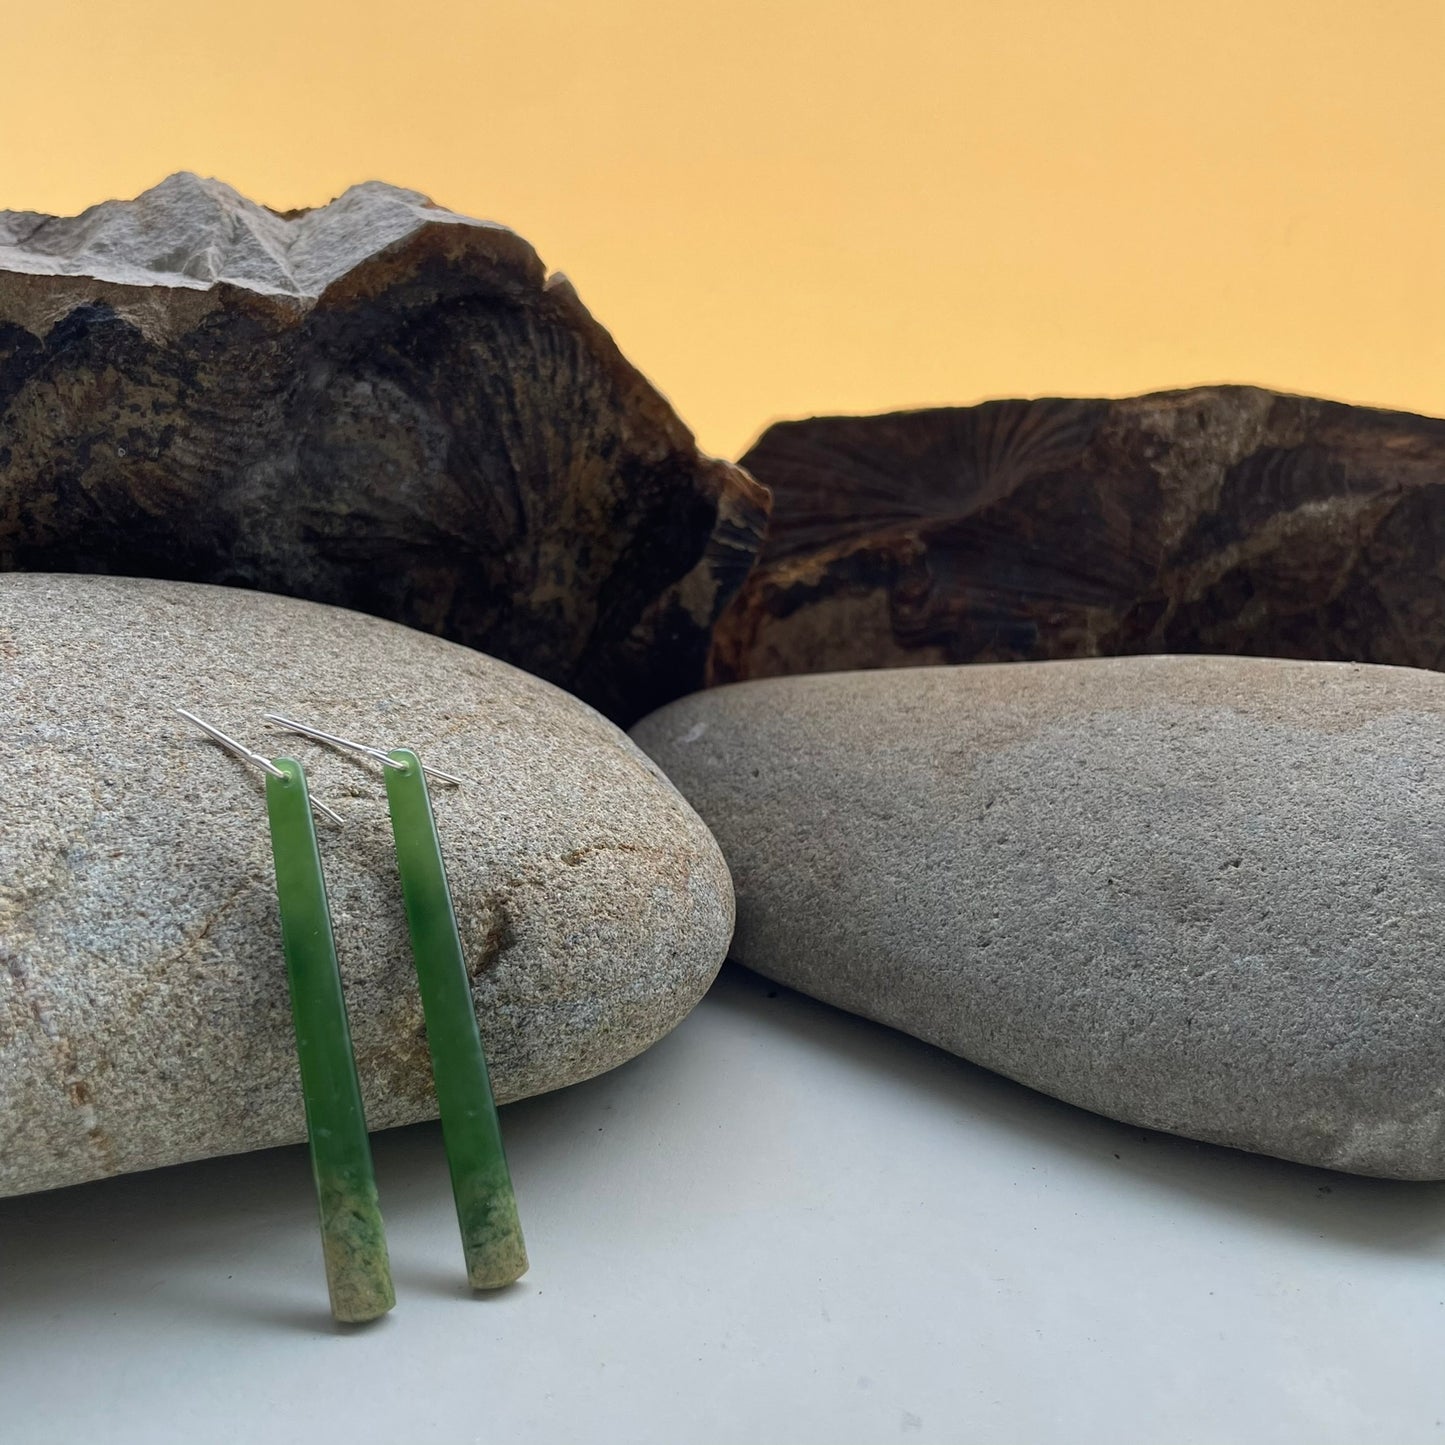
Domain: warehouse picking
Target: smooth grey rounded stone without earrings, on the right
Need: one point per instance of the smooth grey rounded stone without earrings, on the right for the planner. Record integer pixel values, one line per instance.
(1204, 895)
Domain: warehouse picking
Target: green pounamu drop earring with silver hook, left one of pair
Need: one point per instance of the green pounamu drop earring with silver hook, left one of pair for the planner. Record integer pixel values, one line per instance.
(359, 1274)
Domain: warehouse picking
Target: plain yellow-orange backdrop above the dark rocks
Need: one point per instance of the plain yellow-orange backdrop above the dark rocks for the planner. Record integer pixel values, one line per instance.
(784, 207)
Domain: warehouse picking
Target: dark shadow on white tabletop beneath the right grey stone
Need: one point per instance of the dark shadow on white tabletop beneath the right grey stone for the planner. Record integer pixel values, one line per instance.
(1386, 1216)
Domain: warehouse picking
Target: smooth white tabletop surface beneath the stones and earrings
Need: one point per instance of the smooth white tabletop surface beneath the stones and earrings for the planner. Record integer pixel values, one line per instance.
(780, 1226)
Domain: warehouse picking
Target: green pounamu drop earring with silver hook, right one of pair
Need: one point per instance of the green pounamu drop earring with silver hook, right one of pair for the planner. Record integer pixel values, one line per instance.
(482, 1184)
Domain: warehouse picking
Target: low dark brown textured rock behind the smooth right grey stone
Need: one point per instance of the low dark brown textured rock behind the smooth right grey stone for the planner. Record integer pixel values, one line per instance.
(1219, 519)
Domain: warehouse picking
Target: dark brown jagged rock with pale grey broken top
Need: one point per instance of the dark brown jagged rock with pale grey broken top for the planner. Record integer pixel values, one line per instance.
(378, 405)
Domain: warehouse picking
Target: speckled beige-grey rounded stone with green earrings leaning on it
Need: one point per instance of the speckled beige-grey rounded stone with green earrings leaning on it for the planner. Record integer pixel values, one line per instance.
(144, 1008)
